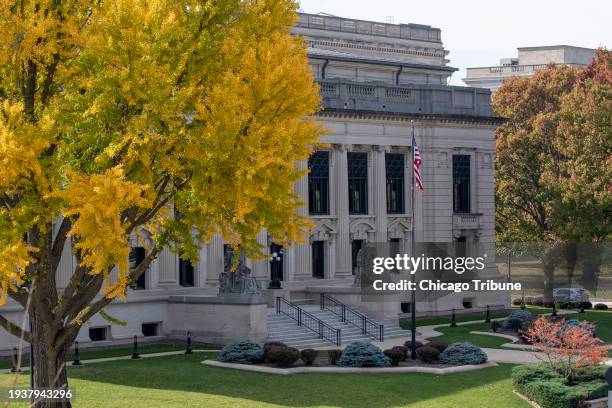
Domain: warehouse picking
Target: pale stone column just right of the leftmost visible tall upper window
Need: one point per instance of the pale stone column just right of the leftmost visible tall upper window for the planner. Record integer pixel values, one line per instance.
(343, 243)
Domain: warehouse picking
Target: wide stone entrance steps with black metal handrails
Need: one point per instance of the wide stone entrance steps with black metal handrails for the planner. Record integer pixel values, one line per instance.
(283, 328)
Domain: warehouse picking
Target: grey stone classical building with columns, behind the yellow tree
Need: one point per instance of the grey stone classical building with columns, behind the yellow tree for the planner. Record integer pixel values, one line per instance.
(378, 82)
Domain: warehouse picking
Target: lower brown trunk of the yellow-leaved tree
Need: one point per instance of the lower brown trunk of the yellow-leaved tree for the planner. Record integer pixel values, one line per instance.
(49, 364)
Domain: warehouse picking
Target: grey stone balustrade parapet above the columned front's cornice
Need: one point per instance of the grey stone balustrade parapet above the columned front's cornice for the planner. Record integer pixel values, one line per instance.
(417, 99)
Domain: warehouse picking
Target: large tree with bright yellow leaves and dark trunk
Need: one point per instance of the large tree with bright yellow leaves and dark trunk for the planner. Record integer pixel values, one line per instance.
(116, 115)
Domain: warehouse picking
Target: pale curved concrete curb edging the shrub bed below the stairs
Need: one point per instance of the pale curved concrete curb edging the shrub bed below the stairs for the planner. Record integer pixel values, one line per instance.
(351, 370)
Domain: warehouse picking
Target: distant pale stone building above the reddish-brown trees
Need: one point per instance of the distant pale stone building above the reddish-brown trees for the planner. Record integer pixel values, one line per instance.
(530, 59)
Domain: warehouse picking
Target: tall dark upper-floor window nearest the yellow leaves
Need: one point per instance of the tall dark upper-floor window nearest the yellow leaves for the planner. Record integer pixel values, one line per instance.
(318, 183)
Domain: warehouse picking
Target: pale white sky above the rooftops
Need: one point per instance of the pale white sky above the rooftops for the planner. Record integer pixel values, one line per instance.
(478, 33)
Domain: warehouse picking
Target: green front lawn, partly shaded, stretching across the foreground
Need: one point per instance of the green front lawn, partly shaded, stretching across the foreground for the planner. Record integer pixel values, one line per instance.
(181, 381)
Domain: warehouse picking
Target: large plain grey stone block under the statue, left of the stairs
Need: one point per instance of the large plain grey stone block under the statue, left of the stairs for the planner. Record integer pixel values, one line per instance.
(219, 319)
